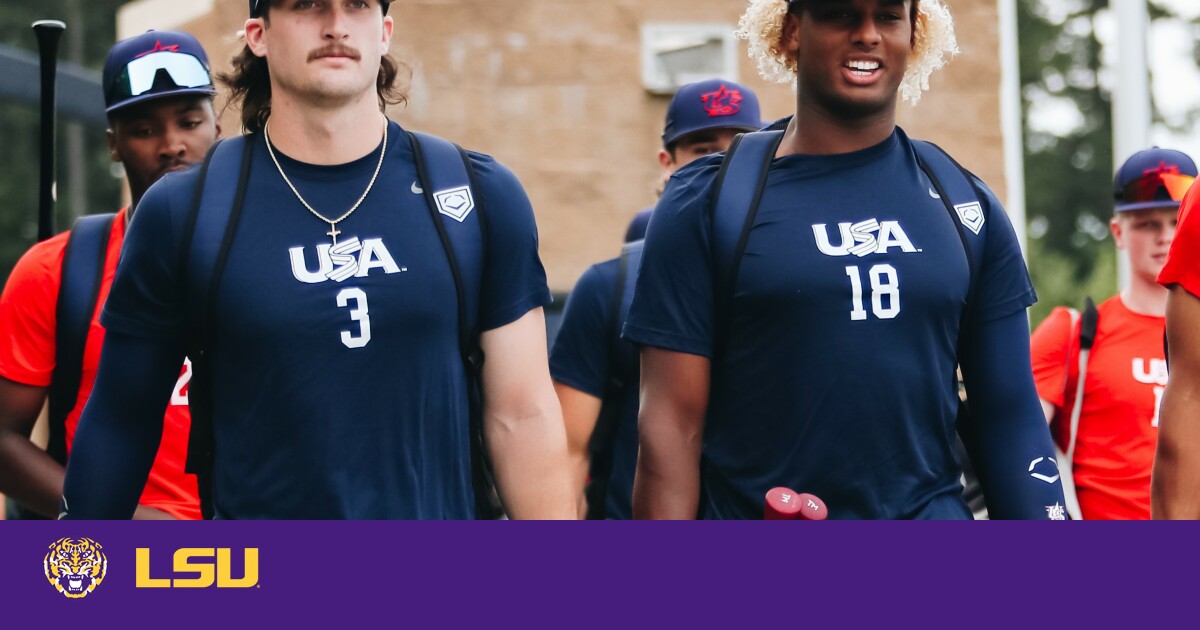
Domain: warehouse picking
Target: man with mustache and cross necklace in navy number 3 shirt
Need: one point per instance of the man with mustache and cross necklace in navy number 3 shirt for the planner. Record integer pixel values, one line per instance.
(334, 364)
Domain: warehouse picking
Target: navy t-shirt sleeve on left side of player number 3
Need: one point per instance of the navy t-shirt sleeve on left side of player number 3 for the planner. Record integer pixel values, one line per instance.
(147, 301)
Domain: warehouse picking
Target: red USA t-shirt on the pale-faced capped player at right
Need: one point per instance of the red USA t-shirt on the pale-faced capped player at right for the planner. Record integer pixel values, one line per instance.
(1119, 423)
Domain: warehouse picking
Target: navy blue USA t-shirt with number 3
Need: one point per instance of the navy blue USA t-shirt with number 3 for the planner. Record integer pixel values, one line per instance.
(339, 388)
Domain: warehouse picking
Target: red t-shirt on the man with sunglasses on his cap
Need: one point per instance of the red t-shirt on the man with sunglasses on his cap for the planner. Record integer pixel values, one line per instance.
(28, 315)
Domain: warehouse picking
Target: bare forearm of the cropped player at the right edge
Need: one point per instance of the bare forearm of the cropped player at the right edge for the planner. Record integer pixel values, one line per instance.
(1175, 490)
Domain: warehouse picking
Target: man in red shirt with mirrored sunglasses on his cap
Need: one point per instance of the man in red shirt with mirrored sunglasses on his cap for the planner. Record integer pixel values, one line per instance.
(159, 98)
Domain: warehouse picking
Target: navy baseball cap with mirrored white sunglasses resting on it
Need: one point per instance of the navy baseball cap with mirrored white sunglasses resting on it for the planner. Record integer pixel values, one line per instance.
(155, 65)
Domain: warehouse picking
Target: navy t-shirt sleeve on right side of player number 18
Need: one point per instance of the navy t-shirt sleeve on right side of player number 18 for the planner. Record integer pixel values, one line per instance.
(1004, 286)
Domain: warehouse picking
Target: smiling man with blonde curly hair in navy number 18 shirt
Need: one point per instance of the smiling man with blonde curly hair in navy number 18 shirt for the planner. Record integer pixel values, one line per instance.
(823, 356)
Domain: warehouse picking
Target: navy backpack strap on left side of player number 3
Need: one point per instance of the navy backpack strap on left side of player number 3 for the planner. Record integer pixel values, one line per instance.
(212, 225)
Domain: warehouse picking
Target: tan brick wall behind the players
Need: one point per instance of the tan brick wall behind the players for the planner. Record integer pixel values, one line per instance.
(553, 88)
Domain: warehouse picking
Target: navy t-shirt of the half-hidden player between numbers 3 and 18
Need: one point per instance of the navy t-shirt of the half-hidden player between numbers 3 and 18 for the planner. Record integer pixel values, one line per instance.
(583, 358)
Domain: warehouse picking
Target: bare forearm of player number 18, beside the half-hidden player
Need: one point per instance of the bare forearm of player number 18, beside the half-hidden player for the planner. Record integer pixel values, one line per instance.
(668, 481)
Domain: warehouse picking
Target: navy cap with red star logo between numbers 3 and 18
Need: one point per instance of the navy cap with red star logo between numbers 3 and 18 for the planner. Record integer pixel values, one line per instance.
(712, 104)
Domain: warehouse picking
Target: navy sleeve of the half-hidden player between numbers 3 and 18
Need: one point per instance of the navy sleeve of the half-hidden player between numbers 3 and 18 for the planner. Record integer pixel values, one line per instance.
(580, 357)
